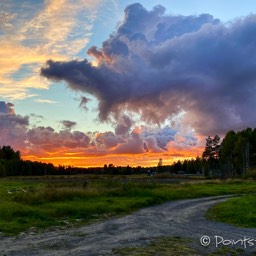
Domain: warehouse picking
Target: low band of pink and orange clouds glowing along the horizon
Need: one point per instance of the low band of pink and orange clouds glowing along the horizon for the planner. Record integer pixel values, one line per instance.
(46, 144)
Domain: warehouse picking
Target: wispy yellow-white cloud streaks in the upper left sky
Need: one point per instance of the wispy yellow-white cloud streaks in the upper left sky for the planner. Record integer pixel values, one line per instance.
(32, 34)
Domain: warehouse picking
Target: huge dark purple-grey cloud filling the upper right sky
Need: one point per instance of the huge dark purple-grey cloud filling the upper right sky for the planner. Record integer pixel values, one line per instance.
(160, 66)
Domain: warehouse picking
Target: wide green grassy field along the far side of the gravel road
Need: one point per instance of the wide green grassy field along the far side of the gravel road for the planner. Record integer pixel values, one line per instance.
(44, 204)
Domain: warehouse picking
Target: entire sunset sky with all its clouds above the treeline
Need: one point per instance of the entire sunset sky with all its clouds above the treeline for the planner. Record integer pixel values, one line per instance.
(94, 82)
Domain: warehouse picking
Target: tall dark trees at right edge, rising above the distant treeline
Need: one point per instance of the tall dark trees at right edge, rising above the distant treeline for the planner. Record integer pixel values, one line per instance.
(234, 156)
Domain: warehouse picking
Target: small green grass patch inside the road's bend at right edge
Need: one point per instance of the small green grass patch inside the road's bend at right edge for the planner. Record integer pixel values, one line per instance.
(239, 211)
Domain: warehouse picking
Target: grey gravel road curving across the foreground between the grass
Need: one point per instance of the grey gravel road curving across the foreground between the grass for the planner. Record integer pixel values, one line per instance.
(184, 218)
